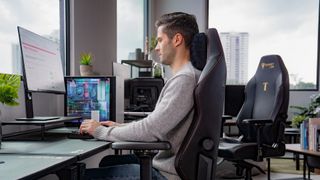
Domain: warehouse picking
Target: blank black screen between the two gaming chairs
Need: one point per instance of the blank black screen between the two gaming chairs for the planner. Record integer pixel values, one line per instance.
(234, 98)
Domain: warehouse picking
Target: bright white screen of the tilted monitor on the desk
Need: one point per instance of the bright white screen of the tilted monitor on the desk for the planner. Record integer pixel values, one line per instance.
(41, 62)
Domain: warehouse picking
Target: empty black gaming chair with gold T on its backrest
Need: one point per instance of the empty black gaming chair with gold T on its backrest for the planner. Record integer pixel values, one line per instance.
(261, 119)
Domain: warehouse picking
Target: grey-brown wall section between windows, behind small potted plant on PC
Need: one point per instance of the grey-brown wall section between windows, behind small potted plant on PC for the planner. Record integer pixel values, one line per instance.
(94, 29)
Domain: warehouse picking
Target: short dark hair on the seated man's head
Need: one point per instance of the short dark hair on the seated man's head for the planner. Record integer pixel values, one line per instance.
(179, 22)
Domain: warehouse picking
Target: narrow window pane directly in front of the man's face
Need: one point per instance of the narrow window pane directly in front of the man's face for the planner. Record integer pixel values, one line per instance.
(130, 32)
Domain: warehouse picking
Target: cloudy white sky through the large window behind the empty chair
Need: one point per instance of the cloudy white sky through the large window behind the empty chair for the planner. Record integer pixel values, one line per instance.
(285, 27)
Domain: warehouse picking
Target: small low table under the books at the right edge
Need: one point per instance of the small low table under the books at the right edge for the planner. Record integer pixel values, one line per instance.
(295, 148)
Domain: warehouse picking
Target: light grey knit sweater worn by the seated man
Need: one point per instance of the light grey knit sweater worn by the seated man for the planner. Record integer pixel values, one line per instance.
(169, 121)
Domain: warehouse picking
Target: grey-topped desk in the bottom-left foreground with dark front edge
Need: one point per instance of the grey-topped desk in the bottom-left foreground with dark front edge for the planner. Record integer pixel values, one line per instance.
(58, 149)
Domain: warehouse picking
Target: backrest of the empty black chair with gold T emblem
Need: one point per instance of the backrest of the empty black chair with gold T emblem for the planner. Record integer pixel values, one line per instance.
(266, 97)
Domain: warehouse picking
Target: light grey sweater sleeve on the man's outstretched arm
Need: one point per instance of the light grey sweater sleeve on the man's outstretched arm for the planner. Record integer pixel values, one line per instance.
(174, 106)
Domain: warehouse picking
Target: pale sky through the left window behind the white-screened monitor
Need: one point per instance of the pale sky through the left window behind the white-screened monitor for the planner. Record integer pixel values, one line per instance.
(39, 16)
